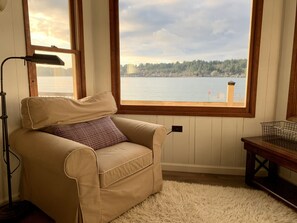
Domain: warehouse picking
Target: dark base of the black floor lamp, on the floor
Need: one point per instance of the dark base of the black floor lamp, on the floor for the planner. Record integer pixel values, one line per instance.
(16, 212)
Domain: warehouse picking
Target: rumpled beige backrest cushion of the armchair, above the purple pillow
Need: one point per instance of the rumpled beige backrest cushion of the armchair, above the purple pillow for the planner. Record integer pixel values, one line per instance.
(40, 112)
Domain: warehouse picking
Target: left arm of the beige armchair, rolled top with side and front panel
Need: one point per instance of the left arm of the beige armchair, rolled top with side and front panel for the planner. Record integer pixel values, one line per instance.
(57, 159)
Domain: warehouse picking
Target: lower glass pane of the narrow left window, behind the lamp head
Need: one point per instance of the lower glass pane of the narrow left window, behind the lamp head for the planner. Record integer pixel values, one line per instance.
(57, 80)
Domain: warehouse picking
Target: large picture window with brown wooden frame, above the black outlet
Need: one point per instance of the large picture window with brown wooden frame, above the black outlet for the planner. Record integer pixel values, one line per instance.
(185, 57)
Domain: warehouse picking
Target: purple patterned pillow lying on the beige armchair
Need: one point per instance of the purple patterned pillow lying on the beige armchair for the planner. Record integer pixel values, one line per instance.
(96, 134)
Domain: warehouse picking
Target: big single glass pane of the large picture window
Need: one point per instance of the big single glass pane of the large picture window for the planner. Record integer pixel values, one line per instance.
(184, 50)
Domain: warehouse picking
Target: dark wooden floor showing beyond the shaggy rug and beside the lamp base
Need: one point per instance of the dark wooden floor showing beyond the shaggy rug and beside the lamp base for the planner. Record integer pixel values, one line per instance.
(37, 216)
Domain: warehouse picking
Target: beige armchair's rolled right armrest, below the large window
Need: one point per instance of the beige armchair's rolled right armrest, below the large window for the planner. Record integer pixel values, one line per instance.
(143, 133)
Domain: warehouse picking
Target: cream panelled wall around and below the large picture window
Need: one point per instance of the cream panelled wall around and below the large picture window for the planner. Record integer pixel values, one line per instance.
(213, 144)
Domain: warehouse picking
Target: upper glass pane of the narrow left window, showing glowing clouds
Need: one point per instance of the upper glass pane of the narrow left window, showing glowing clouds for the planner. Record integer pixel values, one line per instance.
(49, 23)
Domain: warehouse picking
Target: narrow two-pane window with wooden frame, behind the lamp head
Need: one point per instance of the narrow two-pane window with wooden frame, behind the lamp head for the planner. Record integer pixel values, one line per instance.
(55, 27)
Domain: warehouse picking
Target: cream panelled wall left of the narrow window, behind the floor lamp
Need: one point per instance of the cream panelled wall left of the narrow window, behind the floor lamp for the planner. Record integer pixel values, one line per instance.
(12, 43)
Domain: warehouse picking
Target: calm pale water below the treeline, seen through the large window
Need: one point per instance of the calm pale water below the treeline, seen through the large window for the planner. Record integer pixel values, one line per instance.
(202, 89)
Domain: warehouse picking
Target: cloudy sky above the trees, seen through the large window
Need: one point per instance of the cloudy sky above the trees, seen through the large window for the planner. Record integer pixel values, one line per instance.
(166, 31)
